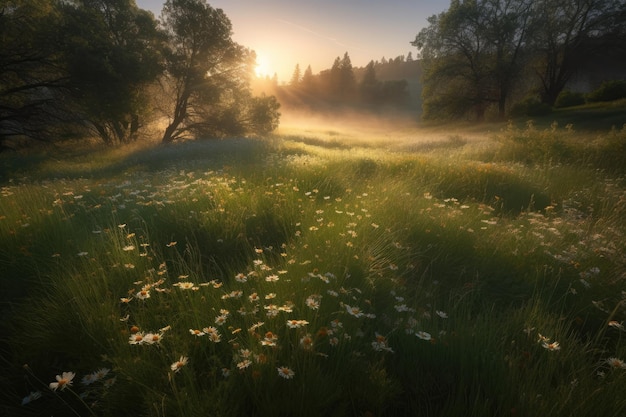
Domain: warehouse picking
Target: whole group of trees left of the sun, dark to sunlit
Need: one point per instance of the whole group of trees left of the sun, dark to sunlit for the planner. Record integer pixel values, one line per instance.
(106, 68)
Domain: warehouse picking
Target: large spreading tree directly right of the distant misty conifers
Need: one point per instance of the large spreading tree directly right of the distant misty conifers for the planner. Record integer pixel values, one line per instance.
(472, 54)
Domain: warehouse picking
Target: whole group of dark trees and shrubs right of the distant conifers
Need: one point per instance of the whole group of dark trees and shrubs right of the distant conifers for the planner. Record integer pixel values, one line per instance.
(481, 56)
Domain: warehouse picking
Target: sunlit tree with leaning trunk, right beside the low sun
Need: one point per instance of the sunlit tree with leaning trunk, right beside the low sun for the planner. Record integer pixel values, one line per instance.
(208, 75)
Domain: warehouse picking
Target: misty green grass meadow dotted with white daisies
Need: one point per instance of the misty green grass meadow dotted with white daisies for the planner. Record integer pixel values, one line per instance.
(328, 269)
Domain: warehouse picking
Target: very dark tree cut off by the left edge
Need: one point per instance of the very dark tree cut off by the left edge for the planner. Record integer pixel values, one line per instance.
(31, 79)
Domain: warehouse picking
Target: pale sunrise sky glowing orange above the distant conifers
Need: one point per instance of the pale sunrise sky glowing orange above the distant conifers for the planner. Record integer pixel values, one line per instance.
(284, 33)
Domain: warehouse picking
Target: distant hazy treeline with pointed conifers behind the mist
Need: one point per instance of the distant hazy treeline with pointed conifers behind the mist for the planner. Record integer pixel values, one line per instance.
(343, 85)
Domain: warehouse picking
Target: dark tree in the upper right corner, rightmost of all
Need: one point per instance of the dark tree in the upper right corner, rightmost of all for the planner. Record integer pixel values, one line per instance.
(566, 36)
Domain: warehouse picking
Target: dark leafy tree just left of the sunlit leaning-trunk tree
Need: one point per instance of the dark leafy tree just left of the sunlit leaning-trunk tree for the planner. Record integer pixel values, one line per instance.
(111, 56)
